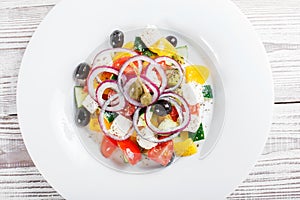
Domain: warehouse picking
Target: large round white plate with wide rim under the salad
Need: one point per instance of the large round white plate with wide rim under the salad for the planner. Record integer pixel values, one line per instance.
(67, 36)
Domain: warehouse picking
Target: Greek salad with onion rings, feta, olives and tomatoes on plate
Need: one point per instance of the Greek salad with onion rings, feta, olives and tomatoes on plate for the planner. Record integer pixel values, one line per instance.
(143, 97)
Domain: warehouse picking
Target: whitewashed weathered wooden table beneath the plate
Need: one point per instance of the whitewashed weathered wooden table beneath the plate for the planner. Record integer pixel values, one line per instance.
(276, 174)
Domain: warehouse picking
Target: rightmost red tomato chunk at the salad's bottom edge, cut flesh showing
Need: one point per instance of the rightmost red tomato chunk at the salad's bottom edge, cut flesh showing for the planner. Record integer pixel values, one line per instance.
(162, 153)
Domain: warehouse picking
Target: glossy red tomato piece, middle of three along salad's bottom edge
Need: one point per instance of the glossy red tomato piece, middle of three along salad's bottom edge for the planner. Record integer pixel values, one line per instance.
(131, 151)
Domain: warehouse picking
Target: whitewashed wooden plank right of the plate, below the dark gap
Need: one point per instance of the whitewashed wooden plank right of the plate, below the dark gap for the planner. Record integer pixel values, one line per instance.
(276, 174)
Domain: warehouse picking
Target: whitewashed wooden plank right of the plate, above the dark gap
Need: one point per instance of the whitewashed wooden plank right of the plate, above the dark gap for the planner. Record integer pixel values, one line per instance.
(278, 25)
